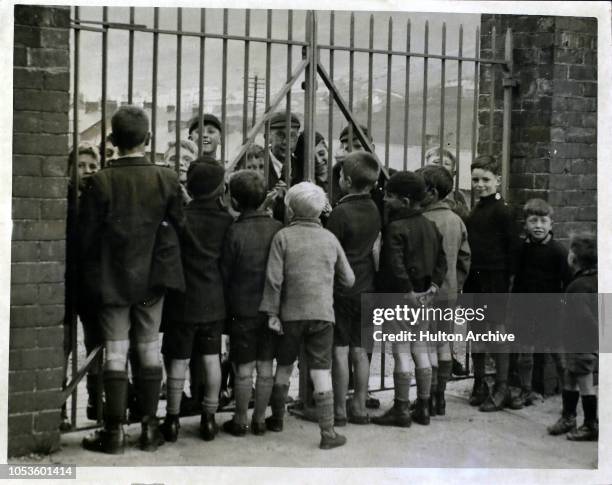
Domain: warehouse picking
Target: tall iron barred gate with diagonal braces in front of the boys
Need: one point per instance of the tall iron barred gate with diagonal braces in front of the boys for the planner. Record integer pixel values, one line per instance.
(307, 66)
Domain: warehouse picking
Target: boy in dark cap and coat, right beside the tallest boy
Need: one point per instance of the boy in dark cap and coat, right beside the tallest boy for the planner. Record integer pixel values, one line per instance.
(197, 316)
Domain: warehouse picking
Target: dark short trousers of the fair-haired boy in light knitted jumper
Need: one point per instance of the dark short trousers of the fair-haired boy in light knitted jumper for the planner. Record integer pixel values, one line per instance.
(318, 339)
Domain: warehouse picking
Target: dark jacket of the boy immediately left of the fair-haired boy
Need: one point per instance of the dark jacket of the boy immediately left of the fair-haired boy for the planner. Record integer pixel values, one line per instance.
(244, 260)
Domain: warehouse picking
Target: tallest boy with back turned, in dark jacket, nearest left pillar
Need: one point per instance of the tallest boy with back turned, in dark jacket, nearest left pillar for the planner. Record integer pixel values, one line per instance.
(128, 212)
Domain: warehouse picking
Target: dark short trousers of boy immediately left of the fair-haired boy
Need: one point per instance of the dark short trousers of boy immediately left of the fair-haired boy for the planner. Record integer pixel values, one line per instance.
(251, 340)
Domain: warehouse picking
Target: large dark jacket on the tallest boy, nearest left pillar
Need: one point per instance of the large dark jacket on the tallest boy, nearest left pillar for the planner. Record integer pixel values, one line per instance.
(129, 217)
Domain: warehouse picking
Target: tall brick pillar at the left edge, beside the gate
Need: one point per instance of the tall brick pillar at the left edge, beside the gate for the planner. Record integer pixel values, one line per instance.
(40, 150)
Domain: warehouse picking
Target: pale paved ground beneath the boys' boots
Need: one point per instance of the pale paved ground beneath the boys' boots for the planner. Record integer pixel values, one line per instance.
(463, 438)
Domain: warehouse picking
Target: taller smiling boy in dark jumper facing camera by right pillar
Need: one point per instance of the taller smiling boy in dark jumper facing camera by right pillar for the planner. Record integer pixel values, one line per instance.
(494, 241)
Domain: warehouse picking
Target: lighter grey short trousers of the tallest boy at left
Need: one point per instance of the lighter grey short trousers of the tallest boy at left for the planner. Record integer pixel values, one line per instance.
(140, 322)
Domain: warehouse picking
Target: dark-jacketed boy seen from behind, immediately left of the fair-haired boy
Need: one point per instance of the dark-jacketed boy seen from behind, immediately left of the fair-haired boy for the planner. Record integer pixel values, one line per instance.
(243, 264)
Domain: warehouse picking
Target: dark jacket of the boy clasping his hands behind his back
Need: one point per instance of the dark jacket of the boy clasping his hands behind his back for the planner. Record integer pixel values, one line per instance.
(412, 257)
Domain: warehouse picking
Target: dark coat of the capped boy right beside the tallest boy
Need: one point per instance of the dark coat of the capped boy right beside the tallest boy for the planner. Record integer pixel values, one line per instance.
(203, 300)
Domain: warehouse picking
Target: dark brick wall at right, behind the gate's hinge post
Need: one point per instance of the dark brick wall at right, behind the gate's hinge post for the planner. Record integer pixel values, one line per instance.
(554, 113)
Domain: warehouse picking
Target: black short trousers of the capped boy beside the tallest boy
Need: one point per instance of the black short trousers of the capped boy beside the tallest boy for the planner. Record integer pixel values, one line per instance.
(181, 338)
